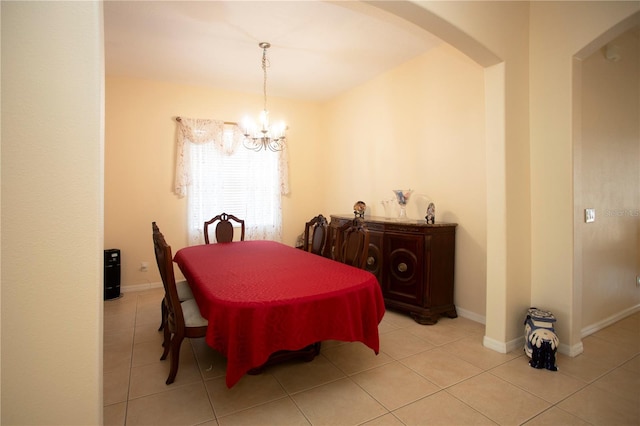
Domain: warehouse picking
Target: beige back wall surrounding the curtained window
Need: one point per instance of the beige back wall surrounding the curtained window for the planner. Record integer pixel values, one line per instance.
(140, 163)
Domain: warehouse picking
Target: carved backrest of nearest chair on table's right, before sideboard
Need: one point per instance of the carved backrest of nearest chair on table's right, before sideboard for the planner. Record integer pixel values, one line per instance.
(352, 243)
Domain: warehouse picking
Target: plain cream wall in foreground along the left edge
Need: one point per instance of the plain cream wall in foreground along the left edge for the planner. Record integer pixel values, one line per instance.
(52, 213)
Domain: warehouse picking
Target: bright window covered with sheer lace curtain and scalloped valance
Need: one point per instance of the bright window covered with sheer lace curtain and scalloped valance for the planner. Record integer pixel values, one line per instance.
(216, 172)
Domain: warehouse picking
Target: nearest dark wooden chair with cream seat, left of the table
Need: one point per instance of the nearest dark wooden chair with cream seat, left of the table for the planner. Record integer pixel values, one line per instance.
(183, 318)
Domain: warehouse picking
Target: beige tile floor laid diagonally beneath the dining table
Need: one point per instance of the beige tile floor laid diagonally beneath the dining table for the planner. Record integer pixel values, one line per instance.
(423, 375)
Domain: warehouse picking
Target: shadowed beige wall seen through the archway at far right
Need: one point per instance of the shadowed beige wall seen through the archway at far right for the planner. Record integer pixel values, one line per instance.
(610, 181)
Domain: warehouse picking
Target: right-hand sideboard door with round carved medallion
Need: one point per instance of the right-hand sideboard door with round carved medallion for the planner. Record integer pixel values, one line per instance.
(404, 274)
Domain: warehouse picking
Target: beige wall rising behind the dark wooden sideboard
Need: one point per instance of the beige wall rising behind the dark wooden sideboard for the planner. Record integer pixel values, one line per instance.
(419, 126)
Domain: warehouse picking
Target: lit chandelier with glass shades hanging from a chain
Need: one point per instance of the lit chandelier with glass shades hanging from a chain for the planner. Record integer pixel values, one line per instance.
(264, 136)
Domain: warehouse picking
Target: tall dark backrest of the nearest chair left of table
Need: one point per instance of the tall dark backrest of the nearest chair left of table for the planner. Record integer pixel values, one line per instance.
(164, 259)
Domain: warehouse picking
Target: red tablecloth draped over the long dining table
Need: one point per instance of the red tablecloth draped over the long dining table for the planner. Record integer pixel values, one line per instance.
(262, 296)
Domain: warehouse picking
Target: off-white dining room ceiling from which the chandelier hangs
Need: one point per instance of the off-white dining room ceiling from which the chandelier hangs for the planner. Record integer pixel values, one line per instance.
(318, 48)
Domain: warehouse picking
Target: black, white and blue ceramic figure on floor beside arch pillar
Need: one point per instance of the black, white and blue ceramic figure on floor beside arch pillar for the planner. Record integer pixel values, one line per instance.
(541, 341)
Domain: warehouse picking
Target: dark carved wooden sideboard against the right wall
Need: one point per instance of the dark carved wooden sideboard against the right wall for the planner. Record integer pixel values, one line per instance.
(414, 263)
